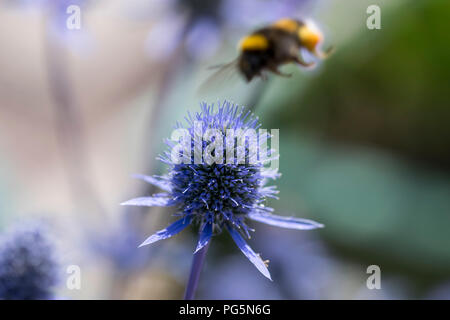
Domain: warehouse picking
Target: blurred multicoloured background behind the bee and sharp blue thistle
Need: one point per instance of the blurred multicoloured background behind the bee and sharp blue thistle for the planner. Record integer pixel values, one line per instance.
(364, 143)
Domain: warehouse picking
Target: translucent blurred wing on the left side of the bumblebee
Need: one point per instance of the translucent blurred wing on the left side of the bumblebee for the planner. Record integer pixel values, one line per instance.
(226, 74)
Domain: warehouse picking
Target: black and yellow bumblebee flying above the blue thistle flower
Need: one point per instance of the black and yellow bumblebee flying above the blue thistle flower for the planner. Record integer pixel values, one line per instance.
(274, 45)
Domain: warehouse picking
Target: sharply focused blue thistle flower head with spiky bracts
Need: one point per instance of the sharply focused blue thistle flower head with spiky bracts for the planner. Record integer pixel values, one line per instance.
(217, 196)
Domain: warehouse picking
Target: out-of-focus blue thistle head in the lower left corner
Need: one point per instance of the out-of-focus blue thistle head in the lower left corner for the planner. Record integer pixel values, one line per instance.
(28, 269)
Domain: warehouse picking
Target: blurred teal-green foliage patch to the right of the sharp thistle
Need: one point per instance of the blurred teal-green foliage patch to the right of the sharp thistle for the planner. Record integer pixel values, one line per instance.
(376, 208)
